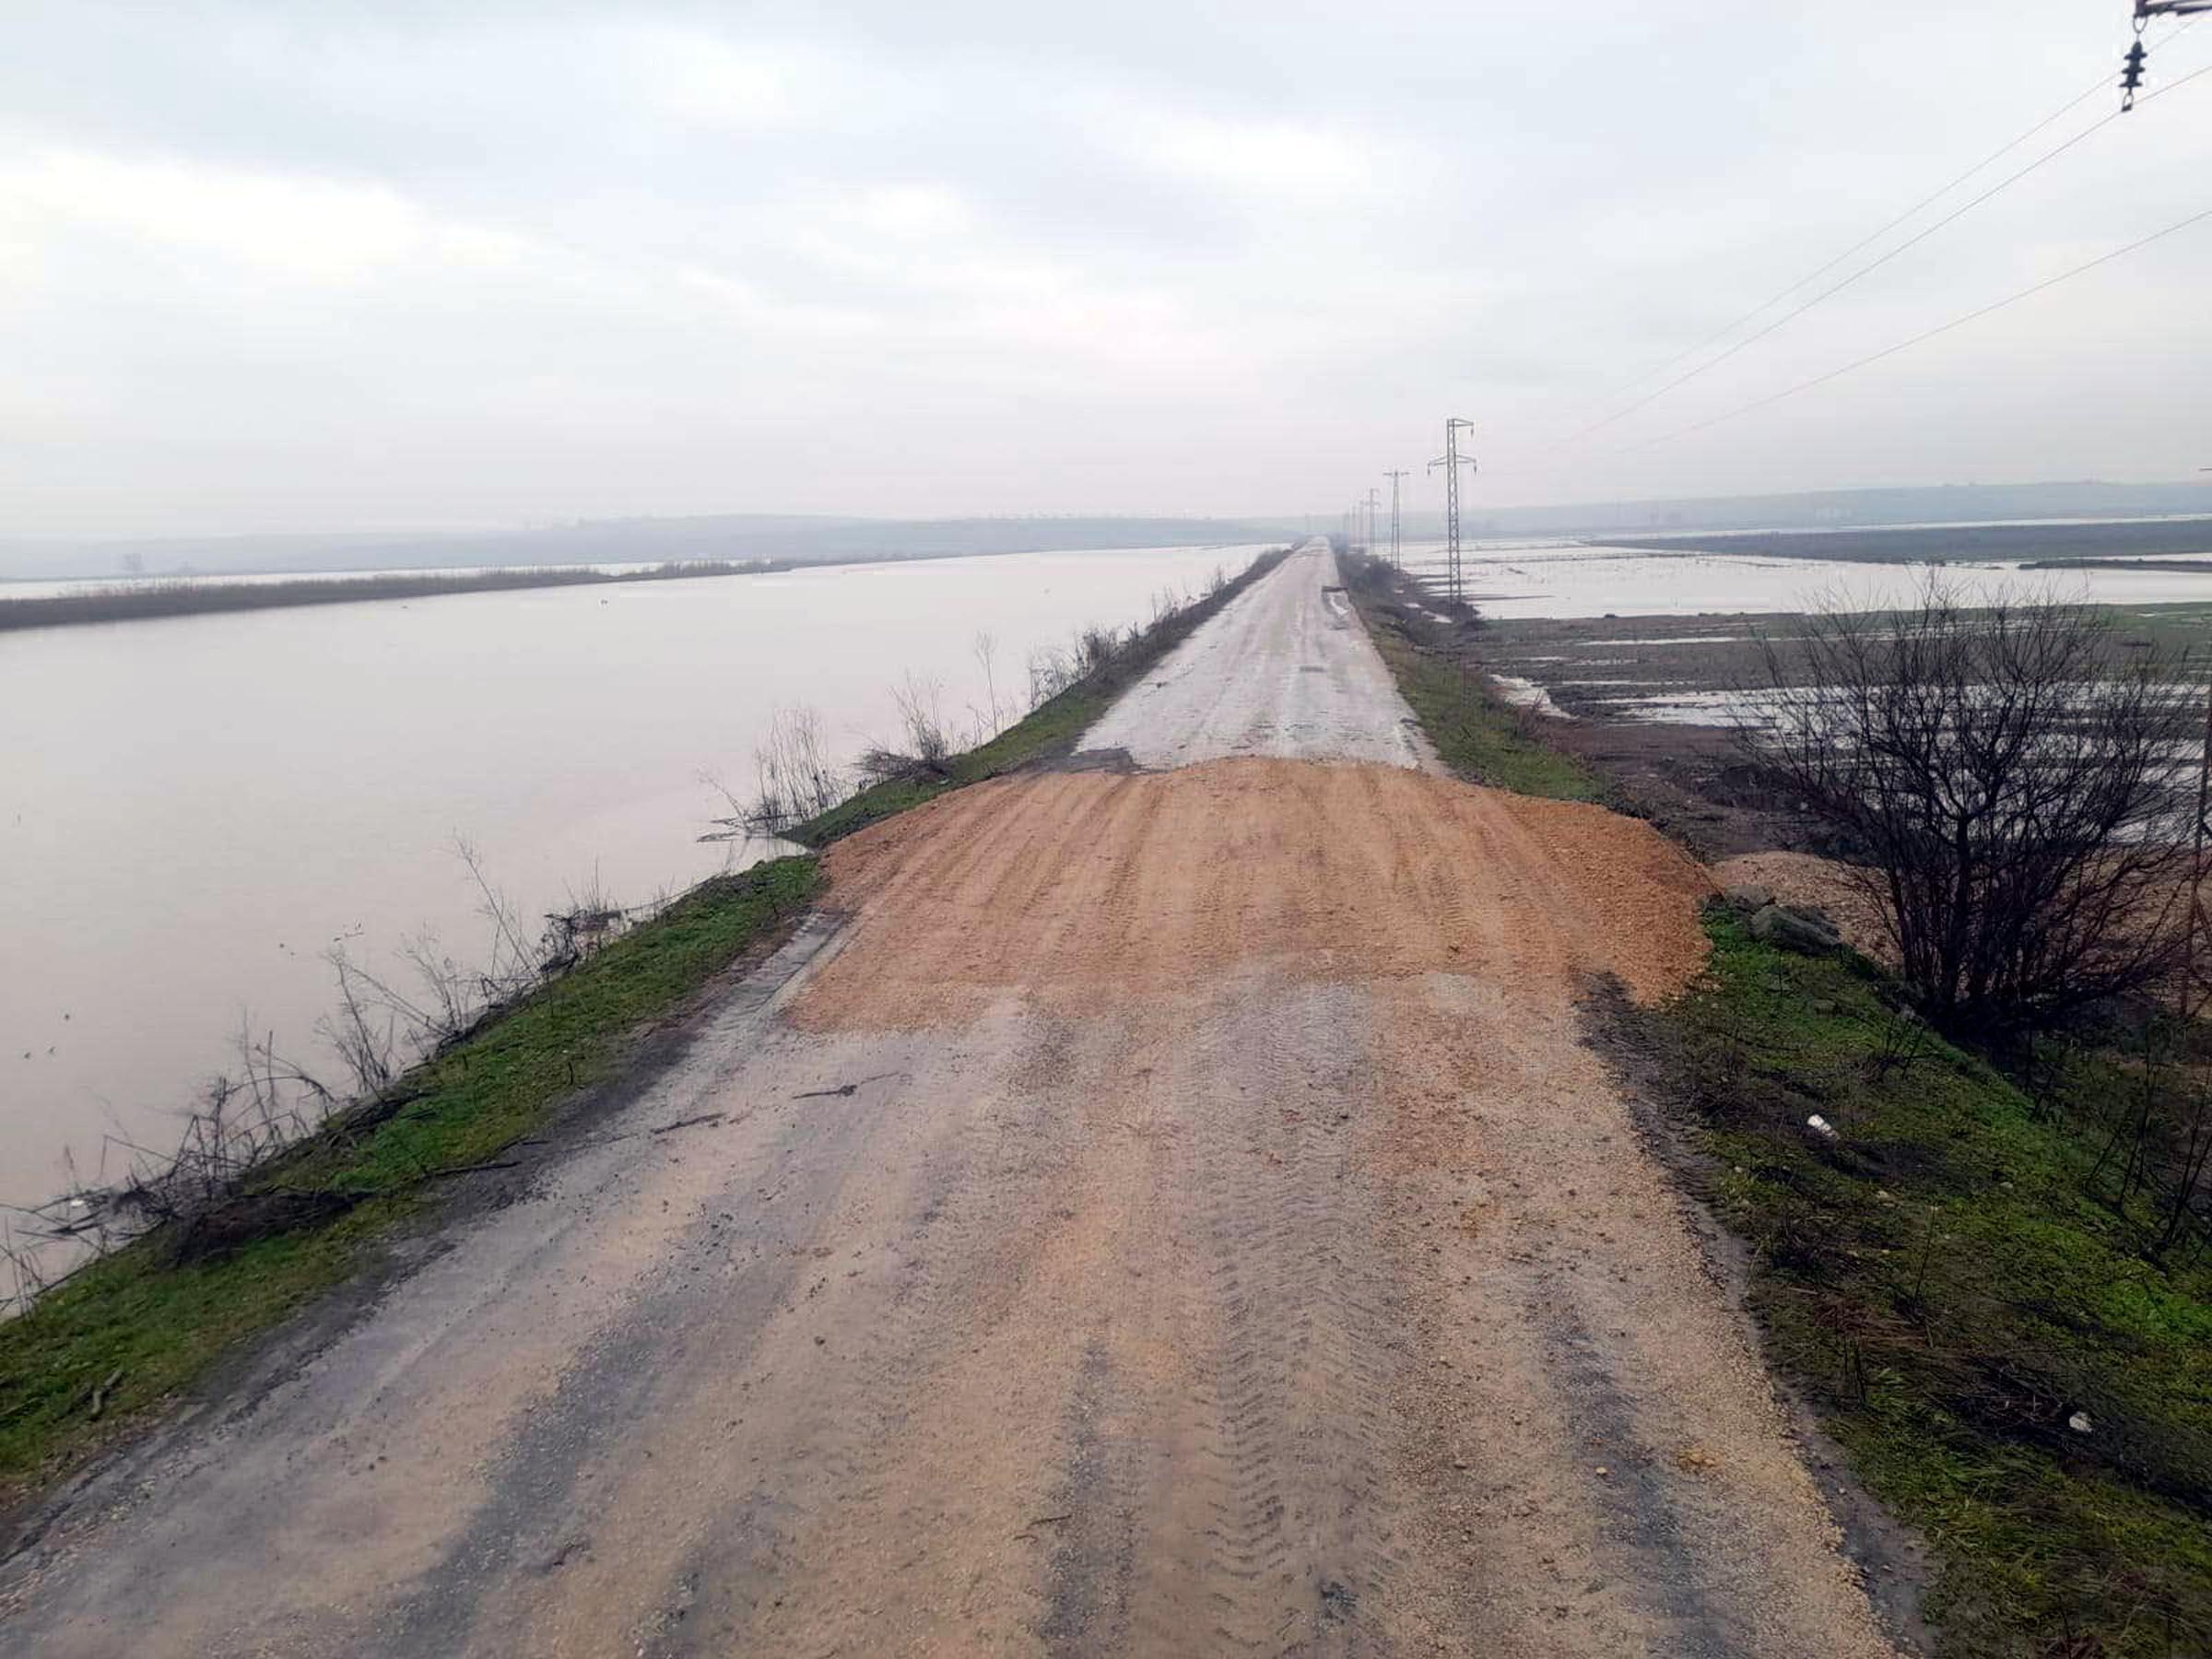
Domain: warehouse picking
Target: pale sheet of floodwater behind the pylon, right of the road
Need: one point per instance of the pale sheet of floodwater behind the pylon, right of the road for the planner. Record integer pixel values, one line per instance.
(1552, 581)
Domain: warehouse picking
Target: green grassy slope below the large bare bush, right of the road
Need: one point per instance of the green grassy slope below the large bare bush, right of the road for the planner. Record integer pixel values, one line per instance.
(1952, 1295)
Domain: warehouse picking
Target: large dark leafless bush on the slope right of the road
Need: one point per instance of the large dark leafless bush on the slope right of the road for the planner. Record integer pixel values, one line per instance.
(2005, 782)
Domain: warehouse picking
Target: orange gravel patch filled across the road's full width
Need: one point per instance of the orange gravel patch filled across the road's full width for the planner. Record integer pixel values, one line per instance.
(1087, 886)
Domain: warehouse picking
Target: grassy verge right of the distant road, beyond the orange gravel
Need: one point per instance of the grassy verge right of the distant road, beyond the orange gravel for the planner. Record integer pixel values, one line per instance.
(1477, 735)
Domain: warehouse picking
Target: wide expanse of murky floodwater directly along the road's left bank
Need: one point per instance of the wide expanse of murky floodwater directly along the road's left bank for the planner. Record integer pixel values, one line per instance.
(196, 811)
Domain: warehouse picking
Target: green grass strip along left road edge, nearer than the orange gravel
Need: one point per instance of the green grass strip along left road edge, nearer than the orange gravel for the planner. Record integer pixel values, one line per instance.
(154, 1324)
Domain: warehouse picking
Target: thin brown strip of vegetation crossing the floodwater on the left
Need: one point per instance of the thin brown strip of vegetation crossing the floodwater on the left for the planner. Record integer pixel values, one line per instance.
(147, 601)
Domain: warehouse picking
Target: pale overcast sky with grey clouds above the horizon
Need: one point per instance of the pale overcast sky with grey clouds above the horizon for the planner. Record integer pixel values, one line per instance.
(326, 267)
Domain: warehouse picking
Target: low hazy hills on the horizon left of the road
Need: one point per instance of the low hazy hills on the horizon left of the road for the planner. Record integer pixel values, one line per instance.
(645, 541)
